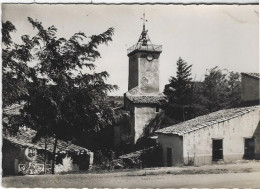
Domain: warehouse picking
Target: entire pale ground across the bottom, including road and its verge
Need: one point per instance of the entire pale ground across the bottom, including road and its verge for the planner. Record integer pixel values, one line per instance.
(242, 175)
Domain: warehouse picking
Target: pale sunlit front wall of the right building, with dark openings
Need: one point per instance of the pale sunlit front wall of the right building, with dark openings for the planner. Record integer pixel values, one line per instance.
(198, 144)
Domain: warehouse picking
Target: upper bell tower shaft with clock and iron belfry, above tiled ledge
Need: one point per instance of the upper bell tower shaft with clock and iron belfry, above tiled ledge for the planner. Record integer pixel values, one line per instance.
(144, 64)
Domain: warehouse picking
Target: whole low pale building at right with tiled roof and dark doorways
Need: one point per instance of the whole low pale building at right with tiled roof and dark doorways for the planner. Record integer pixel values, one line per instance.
(225, 135)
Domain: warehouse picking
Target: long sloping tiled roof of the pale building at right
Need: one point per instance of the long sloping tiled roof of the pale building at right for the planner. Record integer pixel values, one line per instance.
(205, 121)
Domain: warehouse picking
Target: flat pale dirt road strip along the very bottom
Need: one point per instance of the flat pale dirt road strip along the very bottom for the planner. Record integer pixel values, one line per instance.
(241, 180)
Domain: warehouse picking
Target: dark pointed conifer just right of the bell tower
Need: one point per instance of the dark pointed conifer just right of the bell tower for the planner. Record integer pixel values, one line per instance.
(179, 89)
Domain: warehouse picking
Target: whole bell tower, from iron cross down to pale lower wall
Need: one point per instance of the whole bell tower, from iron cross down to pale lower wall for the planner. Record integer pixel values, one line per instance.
(143, 97)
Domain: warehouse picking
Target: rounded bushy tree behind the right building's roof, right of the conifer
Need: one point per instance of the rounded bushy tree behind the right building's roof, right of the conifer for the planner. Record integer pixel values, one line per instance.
(220, 90)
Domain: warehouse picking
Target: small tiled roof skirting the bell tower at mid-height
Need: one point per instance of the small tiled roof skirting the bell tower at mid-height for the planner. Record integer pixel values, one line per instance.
(134, 95)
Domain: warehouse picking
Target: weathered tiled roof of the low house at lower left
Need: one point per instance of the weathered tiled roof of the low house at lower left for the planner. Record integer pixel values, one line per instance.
(25, 135)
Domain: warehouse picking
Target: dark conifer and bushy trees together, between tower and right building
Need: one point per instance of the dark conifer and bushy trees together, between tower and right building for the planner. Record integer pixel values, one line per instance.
(219, 90)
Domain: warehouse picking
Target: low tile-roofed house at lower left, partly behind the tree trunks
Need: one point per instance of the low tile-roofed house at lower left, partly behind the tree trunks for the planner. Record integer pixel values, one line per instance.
(22, 156)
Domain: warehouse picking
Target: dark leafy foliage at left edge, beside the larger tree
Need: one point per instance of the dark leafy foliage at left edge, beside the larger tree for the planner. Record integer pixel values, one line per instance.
(15, 71)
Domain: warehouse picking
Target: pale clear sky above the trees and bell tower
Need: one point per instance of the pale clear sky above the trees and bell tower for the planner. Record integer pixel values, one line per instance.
(205, 36)
